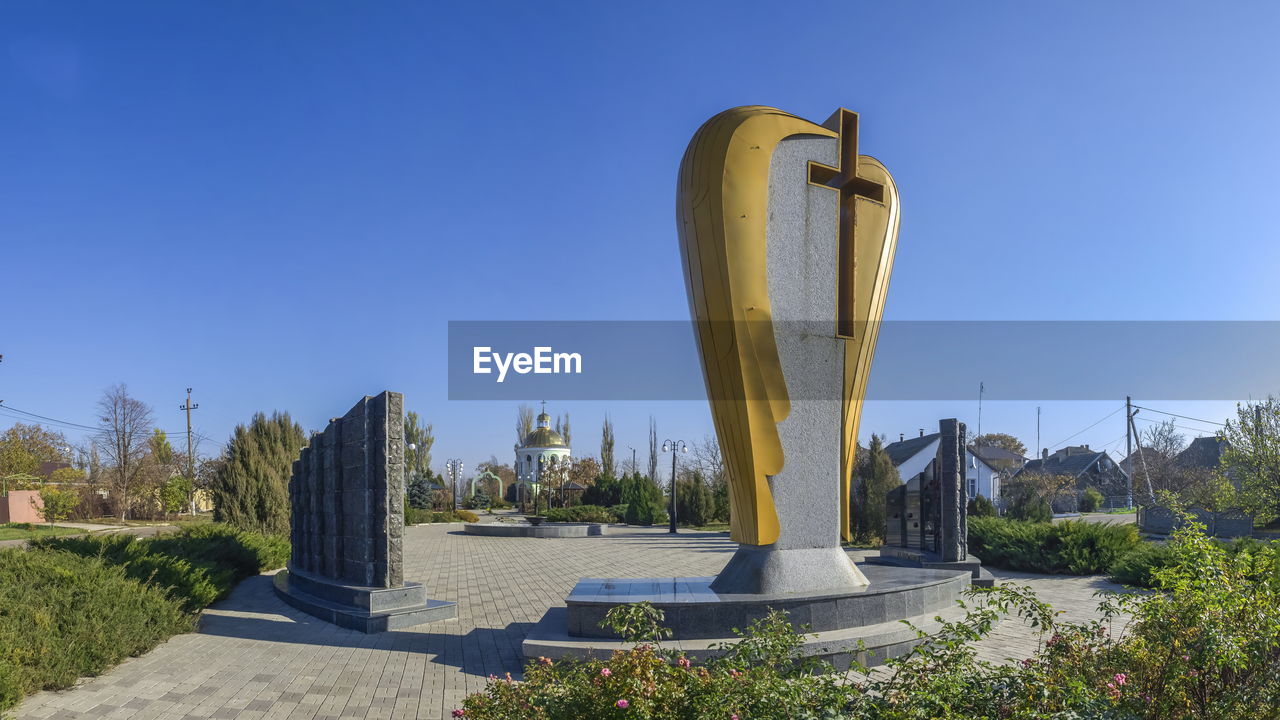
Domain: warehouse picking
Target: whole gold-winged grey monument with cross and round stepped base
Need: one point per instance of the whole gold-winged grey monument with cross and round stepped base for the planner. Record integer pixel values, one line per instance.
(788, 238)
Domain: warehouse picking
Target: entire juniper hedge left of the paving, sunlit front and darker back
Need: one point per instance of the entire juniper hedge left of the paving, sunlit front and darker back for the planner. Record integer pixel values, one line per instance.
(72, 608)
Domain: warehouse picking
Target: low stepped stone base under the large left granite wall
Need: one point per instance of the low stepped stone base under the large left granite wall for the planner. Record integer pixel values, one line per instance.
(365, 609)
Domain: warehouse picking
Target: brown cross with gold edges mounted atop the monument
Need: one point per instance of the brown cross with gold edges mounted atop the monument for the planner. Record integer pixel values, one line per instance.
(845, 180)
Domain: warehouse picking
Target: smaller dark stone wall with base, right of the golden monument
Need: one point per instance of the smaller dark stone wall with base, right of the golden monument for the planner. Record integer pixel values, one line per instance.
(927, 516)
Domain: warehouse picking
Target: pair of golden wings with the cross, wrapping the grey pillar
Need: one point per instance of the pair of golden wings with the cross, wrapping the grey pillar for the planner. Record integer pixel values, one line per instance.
(723, 211)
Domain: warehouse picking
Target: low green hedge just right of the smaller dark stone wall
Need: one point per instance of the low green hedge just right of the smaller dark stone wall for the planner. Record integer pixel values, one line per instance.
(1071, 548)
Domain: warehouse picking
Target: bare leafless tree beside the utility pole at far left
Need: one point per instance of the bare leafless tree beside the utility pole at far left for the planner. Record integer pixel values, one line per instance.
(125, 426)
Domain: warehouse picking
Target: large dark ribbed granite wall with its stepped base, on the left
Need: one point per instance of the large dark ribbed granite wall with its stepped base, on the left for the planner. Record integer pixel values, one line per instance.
(348, 525)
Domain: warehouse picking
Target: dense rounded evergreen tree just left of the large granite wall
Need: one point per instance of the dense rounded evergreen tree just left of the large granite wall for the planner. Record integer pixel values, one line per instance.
(252, 489)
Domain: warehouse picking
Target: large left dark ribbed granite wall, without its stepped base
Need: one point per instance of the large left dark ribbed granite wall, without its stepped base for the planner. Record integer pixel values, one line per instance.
(348, 509)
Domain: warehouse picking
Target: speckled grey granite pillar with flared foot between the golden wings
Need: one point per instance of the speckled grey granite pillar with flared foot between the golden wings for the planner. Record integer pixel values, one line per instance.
(803, 274)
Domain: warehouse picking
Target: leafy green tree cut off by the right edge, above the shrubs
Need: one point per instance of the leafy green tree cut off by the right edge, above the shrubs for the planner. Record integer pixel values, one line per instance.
(1252, 457)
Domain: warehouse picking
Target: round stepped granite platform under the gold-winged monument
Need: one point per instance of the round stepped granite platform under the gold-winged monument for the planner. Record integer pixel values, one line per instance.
(843, 626)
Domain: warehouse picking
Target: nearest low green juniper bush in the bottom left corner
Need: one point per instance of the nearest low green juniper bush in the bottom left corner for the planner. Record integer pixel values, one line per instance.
(65, 617)
